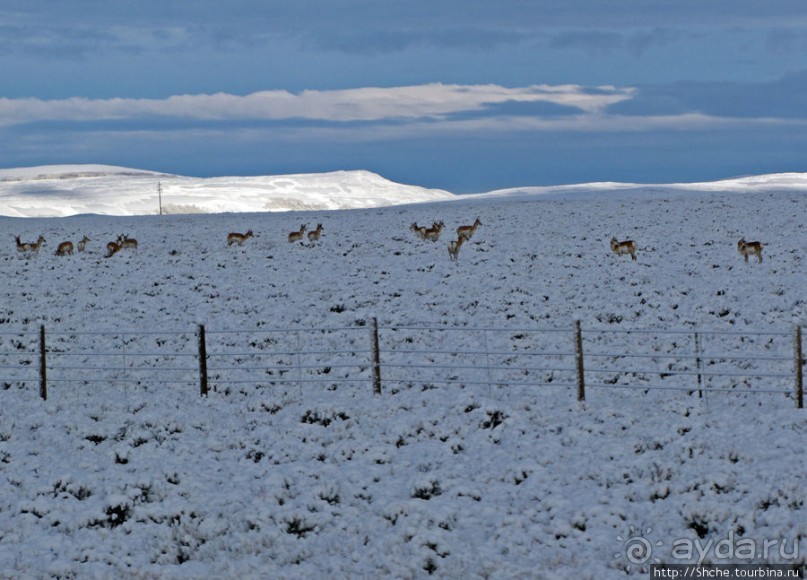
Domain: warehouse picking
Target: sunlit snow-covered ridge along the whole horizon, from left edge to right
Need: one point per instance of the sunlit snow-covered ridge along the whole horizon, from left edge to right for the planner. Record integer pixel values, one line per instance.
(64, 190)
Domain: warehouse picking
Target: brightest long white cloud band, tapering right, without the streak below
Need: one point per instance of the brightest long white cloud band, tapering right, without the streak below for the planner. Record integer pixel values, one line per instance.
(361, 104)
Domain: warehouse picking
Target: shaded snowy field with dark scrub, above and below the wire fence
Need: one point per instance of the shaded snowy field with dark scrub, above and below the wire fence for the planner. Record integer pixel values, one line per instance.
(458, 481)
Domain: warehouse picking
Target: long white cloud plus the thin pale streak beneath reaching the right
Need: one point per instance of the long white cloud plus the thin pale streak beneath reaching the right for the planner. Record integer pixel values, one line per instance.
(423, 111)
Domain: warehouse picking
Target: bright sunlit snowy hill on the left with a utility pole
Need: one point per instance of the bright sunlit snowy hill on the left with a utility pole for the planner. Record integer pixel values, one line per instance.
(63, 190)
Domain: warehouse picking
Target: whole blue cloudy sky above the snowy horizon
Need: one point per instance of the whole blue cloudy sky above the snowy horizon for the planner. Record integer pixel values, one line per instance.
(463, 95)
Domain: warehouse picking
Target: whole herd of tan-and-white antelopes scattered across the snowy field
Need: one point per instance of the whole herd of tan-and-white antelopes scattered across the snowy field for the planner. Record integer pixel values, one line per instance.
(431, 233)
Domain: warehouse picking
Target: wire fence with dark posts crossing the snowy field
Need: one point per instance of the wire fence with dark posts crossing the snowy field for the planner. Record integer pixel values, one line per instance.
(386, 358)
